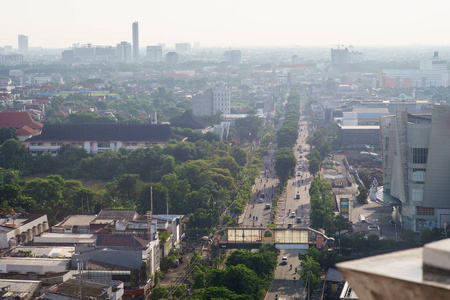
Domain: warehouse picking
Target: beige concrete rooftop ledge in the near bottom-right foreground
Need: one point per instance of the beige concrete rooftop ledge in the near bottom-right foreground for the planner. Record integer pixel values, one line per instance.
(421, 273)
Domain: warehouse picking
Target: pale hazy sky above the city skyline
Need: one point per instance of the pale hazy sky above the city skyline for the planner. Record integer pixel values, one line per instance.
(226, 23)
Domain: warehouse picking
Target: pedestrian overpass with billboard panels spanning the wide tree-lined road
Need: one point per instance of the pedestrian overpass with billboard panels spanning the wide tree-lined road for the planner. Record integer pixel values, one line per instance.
(282, 238)
